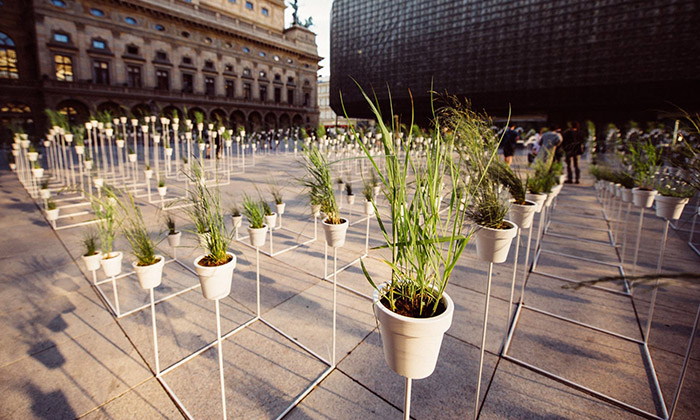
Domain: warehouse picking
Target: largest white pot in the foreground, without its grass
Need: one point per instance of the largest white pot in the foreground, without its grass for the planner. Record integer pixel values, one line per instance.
(412, 345)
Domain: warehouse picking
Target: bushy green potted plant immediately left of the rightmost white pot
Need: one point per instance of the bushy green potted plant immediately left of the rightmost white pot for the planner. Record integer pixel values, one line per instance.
(646, 161)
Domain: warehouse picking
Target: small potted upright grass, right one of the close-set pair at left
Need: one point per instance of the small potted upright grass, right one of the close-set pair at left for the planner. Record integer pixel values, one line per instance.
(104, 208)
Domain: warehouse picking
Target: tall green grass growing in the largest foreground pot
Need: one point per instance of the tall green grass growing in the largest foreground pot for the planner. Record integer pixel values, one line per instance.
(425, 245)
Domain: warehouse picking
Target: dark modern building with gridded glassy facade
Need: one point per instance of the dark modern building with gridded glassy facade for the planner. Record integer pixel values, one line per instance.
(605, 60)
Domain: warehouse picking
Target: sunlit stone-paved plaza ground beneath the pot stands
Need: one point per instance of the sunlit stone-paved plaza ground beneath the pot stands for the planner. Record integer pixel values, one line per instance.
(64, 355)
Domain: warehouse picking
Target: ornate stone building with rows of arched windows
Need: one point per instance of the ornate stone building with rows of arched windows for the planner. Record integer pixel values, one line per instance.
(230, 59)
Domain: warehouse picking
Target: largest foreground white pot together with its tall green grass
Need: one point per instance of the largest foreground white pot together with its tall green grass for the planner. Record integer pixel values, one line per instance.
(412, 309)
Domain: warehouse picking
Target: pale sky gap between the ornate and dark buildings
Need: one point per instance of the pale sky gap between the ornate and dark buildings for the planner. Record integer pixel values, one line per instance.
(320, 11)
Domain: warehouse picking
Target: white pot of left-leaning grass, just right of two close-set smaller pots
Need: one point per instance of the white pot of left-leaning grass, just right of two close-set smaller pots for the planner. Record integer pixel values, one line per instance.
(148, 265)
